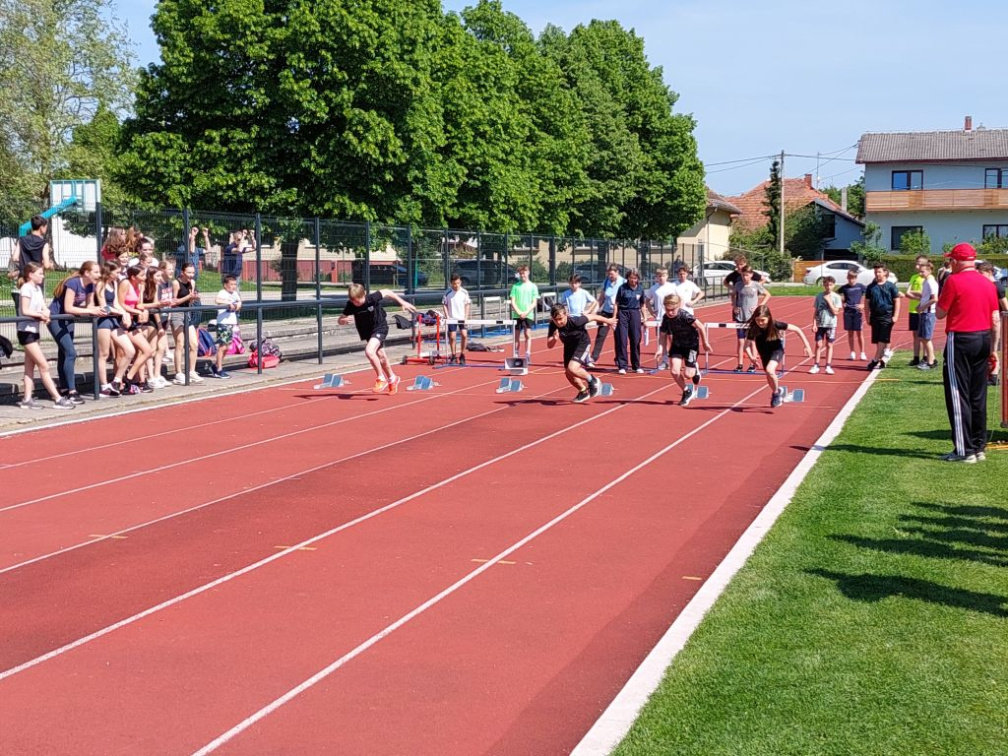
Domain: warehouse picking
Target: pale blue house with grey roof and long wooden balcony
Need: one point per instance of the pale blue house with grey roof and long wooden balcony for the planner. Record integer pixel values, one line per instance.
(951, 185)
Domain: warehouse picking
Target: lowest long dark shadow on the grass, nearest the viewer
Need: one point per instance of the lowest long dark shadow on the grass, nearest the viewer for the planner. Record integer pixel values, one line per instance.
(875, 588)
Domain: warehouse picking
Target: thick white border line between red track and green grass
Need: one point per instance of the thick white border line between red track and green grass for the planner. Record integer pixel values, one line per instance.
(619, 717)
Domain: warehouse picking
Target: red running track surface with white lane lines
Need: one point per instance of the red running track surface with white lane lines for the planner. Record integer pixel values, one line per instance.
(521, 659)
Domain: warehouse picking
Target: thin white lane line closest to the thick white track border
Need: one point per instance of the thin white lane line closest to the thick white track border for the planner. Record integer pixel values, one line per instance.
(389, 631)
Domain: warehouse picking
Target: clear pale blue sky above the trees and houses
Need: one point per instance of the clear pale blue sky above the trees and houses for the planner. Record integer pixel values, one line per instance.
(804, 77)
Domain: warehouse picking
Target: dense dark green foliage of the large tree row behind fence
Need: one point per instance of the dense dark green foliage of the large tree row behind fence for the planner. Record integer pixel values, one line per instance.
(398, 112)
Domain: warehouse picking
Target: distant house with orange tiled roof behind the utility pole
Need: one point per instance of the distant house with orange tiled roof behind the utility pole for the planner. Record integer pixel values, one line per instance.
(842, 227)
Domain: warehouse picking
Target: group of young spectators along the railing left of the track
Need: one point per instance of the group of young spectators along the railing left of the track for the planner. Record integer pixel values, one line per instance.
(125, 295)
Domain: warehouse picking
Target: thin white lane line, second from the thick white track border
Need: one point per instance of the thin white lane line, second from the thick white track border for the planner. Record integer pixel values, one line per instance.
(315, 540)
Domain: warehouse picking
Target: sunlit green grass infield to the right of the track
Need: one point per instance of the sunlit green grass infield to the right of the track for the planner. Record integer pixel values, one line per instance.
(873, 619)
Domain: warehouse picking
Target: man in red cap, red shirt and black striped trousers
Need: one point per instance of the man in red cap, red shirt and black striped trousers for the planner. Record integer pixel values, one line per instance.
(969, 304)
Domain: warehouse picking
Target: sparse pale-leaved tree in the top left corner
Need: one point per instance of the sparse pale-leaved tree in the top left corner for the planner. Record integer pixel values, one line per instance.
(62, 66)
